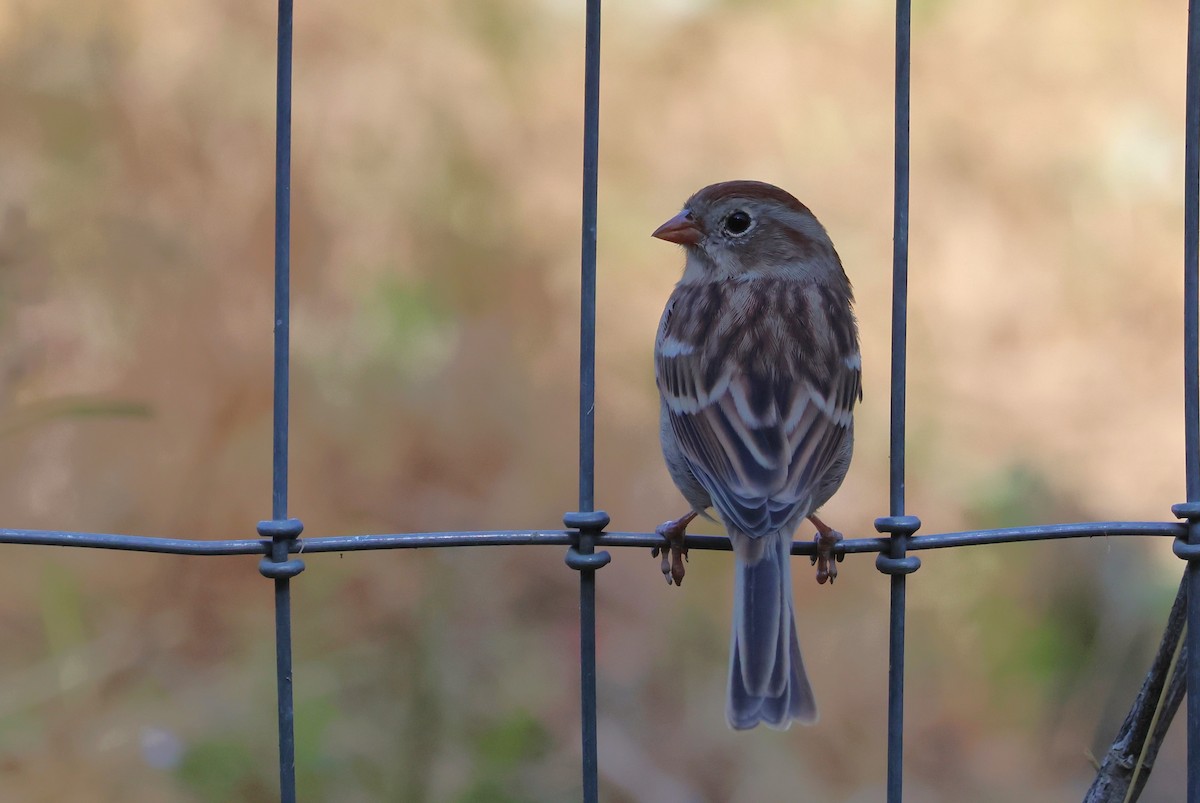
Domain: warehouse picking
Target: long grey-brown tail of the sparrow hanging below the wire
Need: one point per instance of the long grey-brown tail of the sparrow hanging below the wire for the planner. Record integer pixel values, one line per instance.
(767, 680)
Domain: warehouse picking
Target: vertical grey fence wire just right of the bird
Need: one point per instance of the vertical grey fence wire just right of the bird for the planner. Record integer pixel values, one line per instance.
(899, 380)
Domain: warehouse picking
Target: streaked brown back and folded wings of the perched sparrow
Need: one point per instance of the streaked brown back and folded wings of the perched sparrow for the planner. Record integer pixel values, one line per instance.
(761, 401)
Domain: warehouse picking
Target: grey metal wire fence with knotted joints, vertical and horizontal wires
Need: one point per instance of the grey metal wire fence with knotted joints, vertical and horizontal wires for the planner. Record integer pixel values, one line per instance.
(585, 528)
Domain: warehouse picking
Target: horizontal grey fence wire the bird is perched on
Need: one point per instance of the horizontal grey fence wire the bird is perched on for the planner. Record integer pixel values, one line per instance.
(566, 538)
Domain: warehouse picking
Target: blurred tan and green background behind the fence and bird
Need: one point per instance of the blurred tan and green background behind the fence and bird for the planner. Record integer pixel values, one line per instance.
(436, 189)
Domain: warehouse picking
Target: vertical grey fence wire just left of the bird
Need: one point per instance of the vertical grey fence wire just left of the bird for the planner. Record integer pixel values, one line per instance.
(587, 398)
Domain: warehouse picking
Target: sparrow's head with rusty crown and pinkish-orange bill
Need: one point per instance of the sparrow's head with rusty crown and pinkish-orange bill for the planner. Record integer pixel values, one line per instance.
(751, 229)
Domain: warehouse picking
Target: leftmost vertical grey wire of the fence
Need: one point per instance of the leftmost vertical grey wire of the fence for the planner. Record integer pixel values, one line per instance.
(283, 358)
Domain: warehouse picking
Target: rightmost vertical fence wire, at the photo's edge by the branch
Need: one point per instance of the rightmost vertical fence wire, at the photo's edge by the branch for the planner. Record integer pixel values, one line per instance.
(1192, 380)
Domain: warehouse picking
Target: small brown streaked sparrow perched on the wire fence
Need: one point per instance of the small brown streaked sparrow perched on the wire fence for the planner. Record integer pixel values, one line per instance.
(759, 370)
